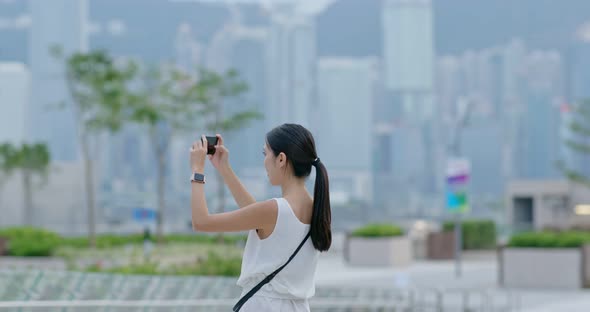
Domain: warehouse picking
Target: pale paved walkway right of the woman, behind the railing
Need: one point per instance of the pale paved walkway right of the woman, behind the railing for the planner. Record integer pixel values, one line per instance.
(479, 272)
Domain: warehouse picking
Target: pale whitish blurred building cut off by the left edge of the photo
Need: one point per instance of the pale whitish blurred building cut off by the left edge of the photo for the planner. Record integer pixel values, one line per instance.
(15, 83)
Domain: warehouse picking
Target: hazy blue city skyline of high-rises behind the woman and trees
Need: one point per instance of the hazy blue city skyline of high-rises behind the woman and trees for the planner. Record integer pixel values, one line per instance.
(402, 102)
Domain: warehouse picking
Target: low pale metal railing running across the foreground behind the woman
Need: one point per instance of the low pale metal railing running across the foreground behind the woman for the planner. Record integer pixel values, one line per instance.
(76, 291)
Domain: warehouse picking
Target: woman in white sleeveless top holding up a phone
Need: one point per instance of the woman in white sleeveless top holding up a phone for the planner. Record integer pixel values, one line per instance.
(277, 227)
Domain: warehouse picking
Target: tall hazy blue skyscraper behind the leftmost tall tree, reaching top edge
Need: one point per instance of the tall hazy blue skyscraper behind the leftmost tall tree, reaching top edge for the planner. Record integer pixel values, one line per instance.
(60, 23)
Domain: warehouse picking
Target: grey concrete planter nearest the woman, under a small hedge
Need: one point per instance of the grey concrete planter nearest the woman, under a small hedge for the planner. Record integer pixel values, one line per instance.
(379, 251)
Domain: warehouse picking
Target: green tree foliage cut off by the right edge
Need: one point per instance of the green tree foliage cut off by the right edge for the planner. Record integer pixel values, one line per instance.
(580, 128)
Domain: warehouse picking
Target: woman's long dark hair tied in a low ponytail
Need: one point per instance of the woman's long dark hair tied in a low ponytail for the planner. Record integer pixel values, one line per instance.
(299, 146)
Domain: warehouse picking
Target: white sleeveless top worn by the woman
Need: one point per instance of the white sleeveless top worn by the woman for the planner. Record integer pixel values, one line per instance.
(262, 257)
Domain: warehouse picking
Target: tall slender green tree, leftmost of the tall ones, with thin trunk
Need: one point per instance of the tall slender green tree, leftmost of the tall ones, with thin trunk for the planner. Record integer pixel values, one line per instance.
(99, 89)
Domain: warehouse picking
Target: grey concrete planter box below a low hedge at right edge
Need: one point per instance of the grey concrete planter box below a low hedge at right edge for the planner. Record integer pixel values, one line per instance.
(565, 268)
